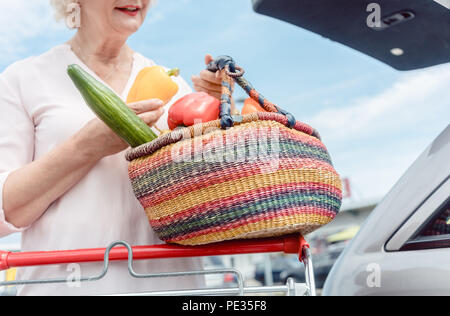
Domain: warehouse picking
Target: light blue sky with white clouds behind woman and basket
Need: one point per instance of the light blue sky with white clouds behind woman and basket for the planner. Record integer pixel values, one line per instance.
(374, 119)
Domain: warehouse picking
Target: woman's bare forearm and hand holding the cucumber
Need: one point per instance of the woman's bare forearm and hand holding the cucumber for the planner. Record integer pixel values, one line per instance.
(29, 191)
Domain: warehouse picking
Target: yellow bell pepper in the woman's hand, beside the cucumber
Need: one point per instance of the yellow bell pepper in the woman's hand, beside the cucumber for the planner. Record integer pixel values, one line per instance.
(154, 83)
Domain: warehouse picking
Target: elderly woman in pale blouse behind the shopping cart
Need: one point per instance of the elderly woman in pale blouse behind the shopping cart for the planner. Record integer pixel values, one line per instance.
(63, 175)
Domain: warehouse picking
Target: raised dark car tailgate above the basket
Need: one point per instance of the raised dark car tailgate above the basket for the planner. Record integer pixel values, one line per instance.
(420, 28)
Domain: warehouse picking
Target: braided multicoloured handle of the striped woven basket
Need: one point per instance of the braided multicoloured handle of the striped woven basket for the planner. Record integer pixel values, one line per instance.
(232, 73)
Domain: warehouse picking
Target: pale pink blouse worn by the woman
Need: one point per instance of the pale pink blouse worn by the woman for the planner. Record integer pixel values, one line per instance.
(39, 109)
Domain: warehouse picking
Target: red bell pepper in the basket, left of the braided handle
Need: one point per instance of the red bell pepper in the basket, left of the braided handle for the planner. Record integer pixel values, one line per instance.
(193, 107)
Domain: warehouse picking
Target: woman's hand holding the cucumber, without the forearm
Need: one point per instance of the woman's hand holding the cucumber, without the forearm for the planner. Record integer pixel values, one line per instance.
(100, 141)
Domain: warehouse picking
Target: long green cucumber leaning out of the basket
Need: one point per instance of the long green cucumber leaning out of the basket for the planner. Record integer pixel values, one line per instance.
(111, 109)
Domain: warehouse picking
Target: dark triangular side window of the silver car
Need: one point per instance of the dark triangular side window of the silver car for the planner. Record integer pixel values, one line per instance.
(435, 233)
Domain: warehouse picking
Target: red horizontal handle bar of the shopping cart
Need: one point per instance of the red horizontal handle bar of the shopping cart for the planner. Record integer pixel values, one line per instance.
(292, 244)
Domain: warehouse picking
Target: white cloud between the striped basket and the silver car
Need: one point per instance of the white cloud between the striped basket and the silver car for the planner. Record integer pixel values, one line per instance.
(375, 139)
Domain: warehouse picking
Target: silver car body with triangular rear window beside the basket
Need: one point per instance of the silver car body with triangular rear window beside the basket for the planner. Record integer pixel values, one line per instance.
(404, 246)
